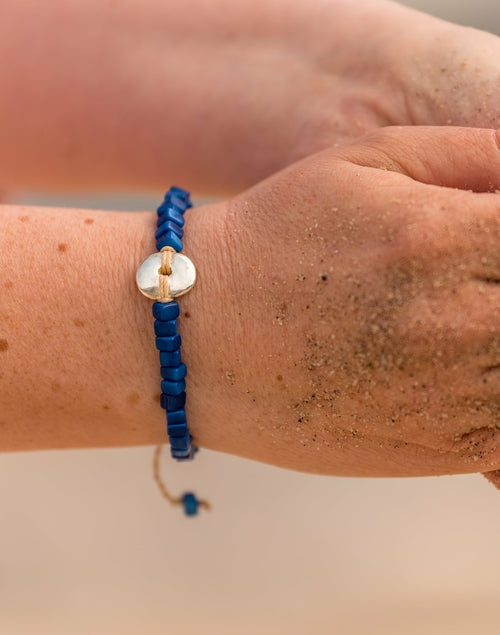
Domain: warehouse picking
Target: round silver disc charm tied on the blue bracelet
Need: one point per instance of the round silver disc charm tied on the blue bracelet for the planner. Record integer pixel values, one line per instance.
(180, 281)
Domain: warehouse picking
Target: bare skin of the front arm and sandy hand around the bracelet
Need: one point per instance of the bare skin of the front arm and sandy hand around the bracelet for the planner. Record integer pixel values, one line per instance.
(346, 319)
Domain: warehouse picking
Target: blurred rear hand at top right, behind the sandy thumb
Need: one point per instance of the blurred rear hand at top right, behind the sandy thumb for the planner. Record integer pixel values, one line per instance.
(382, 64)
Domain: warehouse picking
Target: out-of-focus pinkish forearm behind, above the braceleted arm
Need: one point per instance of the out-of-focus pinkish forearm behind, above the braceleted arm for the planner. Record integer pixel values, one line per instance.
(216, 95)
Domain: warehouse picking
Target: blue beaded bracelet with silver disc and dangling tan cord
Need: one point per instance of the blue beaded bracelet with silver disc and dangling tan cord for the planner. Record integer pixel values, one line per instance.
(163, 277)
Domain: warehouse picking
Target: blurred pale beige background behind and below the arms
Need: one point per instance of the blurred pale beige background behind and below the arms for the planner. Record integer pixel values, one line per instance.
(89, 546)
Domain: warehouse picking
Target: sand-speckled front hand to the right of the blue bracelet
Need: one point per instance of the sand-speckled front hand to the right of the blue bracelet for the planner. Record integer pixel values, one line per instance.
(359, 332)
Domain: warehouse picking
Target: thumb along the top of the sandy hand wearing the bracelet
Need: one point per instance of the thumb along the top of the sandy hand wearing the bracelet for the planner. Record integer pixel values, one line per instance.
(464, 158)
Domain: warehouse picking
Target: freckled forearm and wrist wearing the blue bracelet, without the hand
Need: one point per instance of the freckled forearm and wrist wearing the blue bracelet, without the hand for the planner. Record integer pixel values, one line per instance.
(78, 366)
